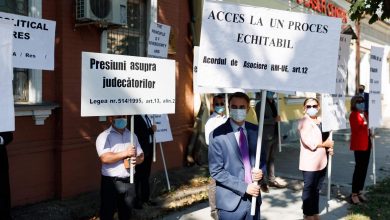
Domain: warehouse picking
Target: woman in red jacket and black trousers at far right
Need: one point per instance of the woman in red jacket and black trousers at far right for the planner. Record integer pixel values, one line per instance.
(361, 146)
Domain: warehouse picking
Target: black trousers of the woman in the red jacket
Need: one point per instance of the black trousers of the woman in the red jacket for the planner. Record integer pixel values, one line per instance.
(362, 159)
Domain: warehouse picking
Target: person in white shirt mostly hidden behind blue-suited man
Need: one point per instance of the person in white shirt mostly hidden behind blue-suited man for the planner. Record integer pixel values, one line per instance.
(216, 119)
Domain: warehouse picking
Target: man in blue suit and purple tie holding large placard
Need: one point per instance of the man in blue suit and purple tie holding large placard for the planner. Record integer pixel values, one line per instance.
(232, 153)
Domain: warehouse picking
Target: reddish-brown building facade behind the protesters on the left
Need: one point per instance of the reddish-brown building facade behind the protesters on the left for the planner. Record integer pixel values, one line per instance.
(53, 153)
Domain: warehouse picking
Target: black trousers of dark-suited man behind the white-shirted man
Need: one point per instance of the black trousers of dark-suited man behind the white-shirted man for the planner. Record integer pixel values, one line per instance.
(141, 179)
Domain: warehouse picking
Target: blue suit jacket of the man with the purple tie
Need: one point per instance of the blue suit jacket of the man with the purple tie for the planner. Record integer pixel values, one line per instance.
(226, 166)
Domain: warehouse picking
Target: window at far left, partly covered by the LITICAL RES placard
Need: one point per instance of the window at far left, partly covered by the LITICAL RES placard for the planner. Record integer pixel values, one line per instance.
(21, 76)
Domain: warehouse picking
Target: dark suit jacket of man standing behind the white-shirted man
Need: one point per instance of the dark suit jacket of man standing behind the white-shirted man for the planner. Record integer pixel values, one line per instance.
(142, 131)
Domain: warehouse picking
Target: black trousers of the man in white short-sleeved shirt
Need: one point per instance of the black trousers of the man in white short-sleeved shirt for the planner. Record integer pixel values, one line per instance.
(116, 195)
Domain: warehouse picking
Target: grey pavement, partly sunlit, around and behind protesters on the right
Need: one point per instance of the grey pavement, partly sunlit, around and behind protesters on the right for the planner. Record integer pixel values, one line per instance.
(286, 203)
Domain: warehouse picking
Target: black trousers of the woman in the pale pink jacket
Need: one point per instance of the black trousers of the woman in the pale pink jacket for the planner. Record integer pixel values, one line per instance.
(313, 181)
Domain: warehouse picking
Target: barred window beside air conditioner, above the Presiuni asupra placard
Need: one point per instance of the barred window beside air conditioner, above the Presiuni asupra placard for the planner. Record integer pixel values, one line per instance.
(130, 40)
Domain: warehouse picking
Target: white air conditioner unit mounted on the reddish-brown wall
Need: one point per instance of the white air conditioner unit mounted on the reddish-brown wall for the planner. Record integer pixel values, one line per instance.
(104, 11)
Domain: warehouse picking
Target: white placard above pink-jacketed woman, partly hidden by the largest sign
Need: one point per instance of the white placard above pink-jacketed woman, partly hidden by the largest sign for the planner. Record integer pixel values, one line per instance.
(333, 105)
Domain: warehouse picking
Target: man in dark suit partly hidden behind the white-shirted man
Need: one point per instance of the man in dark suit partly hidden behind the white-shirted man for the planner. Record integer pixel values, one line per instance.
(144, 129)
